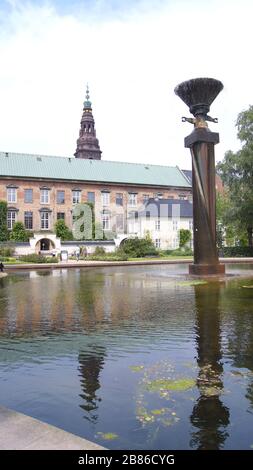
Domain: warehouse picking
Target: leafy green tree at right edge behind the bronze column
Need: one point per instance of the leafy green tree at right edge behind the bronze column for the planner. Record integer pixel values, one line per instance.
(236, 171)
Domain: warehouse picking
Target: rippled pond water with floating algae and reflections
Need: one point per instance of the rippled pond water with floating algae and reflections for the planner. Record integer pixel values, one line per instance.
(131, 358)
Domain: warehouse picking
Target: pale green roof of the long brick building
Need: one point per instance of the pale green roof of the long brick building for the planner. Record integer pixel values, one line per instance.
(63, 168)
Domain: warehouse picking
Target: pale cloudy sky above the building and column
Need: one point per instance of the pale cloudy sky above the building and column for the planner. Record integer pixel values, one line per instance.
(132, 53)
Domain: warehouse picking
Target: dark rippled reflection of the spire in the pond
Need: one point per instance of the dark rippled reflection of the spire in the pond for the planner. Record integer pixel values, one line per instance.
(90, 365)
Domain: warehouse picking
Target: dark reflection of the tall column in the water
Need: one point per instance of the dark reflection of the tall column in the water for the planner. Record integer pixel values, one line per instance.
(210, 416)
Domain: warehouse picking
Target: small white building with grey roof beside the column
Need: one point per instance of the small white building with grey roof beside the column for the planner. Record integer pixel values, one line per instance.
(162, 219)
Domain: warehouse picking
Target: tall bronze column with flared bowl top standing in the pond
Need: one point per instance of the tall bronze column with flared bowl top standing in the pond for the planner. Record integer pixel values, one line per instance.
(199, 94)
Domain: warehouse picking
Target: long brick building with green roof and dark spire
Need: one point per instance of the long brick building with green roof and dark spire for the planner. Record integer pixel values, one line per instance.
(41, 189)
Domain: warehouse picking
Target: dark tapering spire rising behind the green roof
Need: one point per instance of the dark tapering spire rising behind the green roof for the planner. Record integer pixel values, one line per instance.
(87, 143)
